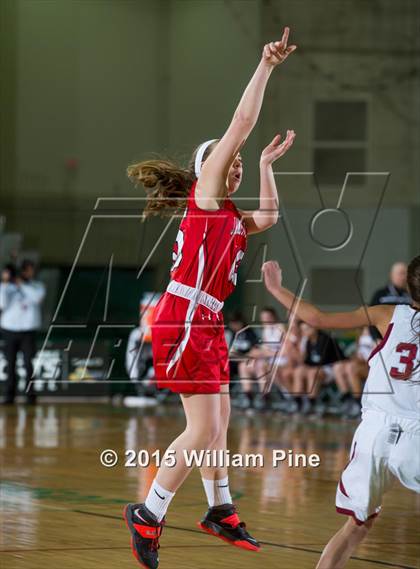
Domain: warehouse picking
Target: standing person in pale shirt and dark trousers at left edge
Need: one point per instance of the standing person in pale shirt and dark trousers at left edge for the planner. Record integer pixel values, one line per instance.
(20, 304)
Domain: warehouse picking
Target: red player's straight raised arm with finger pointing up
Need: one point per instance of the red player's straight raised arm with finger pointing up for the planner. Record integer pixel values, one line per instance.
(212, 182)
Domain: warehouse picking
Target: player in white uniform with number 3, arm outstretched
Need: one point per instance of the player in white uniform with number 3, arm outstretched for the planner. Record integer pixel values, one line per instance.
(386, 444)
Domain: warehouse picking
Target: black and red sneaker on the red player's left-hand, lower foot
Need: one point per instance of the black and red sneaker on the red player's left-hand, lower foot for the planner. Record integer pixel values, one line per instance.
(145, 532)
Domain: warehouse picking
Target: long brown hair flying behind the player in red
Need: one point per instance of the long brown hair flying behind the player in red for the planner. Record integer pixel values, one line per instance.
(167, 184)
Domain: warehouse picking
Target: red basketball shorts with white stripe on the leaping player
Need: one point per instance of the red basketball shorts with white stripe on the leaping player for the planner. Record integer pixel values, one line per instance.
(190, 354)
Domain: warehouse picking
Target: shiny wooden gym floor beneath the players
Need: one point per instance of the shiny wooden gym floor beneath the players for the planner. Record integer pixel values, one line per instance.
(60, 508)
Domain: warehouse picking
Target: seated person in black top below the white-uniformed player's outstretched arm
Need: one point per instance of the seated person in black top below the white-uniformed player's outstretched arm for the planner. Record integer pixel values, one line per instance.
(321, 352)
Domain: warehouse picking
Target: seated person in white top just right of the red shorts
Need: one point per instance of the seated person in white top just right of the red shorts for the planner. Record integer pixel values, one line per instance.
(255, 370)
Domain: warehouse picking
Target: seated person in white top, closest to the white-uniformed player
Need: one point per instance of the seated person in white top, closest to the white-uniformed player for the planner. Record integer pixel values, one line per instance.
(350, 375)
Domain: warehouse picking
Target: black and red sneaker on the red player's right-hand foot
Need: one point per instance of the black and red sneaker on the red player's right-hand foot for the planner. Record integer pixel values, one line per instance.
(223, 522)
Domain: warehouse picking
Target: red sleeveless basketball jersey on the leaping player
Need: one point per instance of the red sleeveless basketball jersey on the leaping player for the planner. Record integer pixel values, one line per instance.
(209, 248)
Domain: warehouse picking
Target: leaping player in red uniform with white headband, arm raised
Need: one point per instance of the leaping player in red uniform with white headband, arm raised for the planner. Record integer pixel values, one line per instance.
(189, 348)
